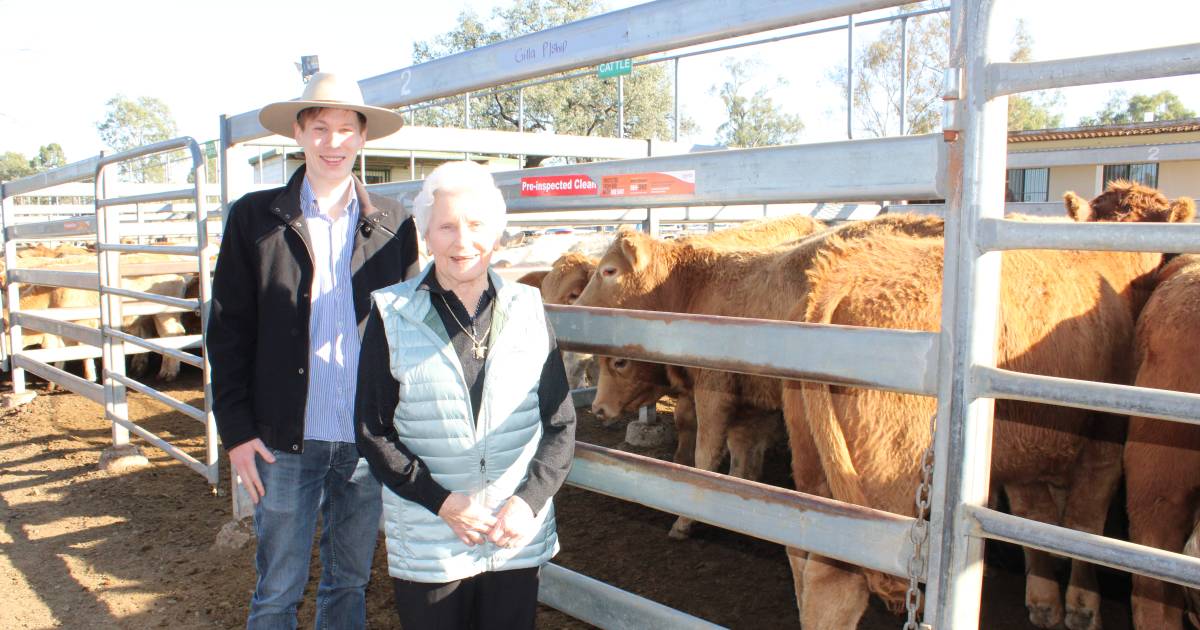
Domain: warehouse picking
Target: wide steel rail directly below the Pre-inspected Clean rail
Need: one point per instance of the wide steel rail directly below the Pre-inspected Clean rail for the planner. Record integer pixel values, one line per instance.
(897, 361)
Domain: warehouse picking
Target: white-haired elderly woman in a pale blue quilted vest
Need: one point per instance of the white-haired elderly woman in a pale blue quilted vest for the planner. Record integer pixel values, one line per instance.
(465, 415)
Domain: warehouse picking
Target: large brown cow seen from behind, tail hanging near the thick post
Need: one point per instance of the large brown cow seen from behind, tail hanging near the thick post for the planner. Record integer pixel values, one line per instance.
(1065, 314)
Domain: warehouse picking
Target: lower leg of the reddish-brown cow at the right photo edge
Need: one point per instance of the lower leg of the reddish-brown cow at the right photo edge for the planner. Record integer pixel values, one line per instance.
(1160, 517)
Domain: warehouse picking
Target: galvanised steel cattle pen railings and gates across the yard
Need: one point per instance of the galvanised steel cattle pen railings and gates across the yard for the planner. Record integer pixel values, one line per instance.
(943, 548)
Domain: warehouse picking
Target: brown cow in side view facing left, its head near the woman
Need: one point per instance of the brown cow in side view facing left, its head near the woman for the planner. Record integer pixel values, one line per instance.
(693, 278)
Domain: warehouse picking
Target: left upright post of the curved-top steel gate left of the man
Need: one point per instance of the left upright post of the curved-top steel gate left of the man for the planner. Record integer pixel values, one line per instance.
(109, 220)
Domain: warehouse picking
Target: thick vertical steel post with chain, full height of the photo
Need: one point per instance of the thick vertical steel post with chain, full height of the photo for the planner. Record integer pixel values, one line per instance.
(970, 319)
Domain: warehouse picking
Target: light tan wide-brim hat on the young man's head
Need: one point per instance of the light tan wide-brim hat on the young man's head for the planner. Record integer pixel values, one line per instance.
(326, 89)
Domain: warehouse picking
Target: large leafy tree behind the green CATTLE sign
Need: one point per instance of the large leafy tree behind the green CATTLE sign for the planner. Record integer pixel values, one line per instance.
(583, 106)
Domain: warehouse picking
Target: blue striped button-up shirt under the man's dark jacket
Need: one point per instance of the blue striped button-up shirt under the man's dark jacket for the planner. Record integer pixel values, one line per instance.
(333, 329)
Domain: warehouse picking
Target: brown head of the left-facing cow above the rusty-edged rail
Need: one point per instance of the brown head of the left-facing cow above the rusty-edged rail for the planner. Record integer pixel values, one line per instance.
(633, 268)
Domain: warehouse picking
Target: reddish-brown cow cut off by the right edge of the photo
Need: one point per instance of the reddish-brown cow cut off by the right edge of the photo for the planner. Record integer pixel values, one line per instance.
(1162, 459)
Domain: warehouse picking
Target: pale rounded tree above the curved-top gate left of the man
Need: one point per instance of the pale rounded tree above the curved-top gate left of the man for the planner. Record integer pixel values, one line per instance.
(130, 124)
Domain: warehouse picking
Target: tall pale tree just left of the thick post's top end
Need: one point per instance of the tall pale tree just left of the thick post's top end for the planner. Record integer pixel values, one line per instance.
(877, 88)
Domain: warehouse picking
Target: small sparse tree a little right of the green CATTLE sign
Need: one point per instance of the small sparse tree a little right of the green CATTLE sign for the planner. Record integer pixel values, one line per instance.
(753, 121)
